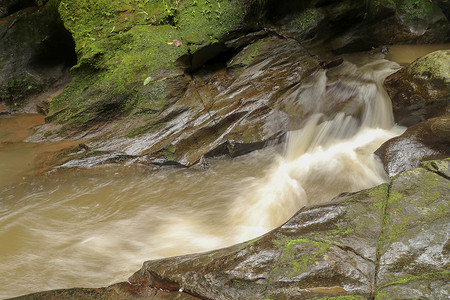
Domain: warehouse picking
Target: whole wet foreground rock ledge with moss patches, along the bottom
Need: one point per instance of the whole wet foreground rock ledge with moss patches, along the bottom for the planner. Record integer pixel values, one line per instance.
(387, 242)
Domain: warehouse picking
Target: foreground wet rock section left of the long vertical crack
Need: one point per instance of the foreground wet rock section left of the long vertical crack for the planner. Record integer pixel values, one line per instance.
(325, 250)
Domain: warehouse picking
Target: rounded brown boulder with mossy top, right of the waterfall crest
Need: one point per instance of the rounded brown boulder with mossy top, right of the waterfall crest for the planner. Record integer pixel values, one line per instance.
(421, 90)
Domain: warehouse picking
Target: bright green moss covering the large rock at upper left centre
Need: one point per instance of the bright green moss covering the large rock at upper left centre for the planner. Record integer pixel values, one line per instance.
(121, 43)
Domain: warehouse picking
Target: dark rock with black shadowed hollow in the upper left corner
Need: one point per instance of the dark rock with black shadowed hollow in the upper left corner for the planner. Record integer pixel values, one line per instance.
(35, 53)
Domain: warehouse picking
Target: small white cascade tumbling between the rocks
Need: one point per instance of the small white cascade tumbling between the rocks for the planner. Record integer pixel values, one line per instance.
(327, 156)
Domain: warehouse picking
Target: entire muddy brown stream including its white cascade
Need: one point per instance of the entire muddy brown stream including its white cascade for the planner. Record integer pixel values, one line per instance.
(94, 227)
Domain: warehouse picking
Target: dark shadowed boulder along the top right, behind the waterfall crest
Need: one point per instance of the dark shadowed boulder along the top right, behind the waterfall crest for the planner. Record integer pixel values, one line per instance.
(359, 25)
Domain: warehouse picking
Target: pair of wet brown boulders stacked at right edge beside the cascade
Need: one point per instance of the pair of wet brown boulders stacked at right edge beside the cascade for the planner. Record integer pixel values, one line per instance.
(420, 96)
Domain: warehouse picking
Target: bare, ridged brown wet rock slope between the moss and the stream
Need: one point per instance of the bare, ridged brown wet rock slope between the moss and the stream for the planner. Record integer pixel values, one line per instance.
(212, 112)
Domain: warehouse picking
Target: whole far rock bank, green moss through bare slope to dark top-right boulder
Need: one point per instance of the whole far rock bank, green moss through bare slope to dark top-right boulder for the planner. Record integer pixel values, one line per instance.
(211, 92)
